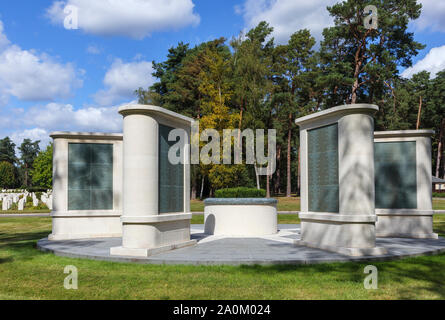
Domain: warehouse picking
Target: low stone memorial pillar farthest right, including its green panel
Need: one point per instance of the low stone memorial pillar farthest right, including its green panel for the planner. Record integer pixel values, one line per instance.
(403, 180)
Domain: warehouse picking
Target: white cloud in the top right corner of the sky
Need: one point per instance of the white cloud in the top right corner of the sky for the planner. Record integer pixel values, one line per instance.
(432, 17)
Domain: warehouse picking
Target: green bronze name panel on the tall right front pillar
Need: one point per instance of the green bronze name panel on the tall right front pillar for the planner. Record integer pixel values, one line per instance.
(323, 180)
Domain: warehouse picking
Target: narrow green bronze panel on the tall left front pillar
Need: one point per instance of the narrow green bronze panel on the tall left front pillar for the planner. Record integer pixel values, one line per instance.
(171, 177)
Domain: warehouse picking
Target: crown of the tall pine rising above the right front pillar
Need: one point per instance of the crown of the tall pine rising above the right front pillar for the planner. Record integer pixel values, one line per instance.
(360, 61)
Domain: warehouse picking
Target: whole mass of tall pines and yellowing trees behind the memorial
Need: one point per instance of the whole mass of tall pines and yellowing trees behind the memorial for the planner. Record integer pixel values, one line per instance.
(258, 84)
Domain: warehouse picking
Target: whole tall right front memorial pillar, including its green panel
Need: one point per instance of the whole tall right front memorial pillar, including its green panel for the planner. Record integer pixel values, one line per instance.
(337, 180)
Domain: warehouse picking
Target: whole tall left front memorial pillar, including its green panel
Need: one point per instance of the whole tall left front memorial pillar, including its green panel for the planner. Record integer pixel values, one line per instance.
(156, 206)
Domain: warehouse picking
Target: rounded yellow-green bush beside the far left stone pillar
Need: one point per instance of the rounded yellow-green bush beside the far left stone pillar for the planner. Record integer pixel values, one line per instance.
(42, 174)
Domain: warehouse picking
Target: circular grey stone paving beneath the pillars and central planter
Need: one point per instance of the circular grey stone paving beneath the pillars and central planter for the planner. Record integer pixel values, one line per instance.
(217, 250)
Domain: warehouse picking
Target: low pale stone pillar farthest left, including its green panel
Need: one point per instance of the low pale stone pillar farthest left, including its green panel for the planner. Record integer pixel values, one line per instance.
(76, 209)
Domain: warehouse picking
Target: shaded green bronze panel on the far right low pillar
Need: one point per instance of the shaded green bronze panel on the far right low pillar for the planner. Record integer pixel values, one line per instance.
(395, 175)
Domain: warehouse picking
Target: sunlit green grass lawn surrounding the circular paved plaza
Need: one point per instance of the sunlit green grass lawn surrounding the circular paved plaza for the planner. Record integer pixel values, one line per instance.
(26, 273)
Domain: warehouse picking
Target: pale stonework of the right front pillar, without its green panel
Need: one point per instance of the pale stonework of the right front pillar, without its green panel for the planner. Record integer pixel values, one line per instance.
(351, 230)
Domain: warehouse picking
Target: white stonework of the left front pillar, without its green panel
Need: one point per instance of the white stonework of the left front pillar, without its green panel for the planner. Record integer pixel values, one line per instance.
(145, 231)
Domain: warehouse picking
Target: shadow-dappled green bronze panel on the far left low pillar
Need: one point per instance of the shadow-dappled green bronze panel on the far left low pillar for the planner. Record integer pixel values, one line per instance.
(90, 176)
